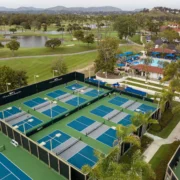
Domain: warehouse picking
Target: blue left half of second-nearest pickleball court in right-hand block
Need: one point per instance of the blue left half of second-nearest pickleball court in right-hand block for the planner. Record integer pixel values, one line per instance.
(81, 123)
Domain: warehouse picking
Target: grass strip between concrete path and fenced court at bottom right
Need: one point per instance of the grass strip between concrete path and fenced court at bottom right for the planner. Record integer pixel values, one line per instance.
(162, 157)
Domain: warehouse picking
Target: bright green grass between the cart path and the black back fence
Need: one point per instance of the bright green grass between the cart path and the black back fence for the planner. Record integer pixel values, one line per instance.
(42, 66)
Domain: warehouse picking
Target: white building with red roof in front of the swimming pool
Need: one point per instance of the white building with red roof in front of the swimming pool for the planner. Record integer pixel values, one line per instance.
(154, 72)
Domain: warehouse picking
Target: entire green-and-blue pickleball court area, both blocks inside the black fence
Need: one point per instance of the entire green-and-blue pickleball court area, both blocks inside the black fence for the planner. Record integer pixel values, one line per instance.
(76, 137)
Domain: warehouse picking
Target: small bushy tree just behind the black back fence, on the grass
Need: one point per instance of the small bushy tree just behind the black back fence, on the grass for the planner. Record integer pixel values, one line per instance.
(59, 66)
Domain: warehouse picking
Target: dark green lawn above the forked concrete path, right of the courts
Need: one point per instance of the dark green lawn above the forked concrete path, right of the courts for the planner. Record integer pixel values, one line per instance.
(167, 123)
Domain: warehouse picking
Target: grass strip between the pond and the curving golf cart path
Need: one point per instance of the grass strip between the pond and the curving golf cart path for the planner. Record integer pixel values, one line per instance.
(5, 52)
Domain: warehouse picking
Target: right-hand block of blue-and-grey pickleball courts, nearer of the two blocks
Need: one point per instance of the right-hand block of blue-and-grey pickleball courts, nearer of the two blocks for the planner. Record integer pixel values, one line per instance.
(92, 128)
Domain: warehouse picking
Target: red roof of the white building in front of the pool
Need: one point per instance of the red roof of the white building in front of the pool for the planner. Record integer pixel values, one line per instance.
(151, 69)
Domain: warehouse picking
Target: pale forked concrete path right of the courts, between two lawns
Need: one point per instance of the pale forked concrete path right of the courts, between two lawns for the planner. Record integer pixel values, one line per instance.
(158, 142)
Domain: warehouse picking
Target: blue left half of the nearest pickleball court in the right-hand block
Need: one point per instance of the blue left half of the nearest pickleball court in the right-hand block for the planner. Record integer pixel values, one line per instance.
(56, 141)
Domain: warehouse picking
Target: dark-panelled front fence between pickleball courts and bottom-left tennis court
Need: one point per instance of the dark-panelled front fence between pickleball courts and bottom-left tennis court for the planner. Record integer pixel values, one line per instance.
(54, 162)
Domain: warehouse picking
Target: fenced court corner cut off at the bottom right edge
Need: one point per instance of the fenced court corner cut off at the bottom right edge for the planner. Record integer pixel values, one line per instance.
(173, 168)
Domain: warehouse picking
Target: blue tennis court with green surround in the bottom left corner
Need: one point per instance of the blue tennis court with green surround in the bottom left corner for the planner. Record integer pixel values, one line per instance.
(16, 163)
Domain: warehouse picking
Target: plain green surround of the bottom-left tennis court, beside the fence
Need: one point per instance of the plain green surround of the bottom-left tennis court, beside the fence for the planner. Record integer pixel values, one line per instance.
(28, 163)
